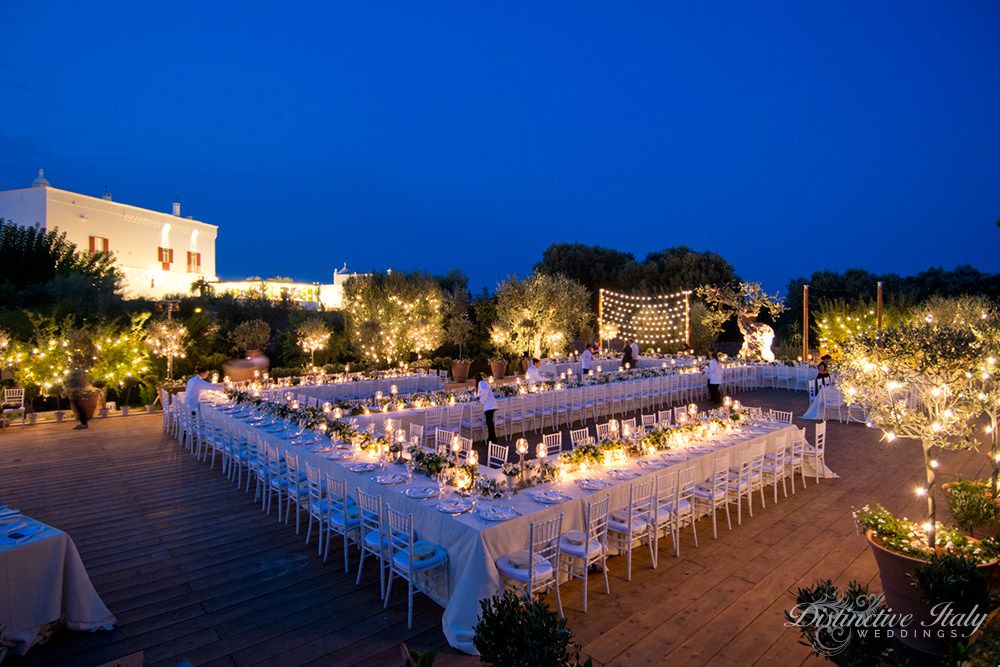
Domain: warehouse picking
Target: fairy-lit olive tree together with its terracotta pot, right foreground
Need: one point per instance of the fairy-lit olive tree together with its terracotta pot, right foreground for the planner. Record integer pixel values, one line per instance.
(914, 383)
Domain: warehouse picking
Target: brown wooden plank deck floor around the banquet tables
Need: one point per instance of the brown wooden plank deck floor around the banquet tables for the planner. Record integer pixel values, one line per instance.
(193, 569)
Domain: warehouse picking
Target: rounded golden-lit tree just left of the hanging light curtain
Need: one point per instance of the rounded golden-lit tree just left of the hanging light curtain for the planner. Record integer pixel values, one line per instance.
(543, 312)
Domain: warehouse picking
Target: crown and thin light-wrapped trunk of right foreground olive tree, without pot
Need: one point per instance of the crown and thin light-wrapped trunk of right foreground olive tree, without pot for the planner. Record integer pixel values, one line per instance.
(913, 381)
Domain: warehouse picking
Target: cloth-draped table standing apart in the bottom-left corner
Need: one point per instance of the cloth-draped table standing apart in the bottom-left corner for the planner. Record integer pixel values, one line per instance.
(42, 582)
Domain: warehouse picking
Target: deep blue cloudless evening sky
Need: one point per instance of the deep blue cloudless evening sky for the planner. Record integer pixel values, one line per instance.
(789, 137)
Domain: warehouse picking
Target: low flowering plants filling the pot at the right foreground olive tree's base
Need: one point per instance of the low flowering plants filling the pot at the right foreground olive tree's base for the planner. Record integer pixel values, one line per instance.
(903, 536)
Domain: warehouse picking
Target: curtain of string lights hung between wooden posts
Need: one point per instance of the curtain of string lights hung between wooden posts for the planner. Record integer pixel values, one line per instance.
(660, 320)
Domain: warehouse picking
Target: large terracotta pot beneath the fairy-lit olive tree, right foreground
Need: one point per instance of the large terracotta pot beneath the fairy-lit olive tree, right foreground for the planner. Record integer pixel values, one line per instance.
(904, 597)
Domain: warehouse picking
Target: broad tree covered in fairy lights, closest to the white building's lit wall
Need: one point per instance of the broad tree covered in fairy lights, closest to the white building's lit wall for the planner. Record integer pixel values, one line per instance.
(393, 316)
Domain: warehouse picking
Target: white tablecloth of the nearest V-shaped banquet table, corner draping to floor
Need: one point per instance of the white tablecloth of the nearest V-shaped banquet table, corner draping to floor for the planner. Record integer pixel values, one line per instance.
(472, 543)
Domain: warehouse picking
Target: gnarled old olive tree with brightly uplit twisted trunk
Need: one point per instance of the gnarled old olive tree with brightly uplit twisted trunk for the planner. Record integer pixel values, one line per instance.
(745, 301)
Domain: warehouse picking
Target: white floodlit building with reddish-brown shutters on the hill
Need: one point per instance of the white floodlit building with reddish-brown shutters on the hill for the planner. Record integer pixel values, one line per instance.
(159, 253)
